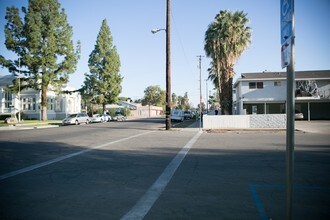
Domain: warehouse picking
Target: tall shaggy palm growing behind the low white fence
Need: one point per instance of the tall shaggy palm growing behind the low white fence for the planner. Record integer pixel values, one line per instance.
(225, 40)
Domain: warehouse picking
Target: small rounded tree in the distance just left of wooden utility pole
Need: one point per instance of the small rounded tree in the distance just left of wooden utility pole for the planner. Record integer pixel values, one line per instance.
(154, 95)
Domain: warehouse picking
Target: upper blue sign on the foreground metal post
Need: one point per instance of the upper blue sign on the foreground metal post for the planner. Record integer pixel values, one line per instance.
(286, 20)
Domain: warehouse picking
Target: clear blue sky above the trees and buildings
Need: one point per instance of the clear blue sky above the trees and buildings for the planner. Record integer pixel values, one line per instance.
(142, 54)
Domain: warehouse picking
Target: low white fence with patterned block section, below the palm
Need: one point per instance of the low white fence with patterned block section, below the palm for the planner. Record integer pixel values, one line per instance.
(244, 121)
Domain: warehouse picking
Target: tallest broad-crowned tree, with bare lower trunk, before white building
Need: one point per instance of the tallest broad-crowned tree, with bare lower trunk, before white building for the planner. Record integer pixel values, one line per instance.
(42, 42)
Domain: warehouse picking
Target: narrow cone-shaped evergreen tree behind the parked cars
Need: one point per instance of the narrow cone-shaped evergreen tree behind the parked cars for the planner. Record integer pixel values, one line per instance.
(103, 83)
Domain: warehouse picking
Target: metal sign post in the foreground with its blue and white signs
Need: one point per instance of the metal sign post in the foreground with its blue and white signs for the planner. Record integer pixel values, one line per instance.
(287, 52)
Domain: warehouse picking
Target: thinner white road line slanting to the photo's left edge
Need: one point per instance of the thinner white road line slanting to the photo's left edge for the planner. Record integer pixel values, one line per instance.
(46, 163)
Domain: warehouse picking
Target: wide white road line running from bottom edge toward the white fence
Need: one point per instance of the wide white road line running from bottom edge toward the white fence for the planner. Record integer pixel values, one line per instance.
(145, 203)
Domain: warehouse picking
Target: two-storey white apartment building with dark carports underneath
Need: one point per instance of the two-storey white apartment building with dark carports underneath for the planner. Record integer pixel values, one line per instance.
(265, 93)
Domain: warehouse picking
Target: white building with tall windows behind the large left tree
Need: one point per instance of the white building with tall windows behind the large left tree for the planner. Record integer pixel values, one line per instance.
(28, 102)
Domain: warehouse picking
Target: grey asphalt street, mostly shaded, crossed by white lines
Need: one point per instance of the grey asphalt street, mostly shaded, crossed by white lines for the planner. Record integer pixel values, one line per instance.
(135, 169)
